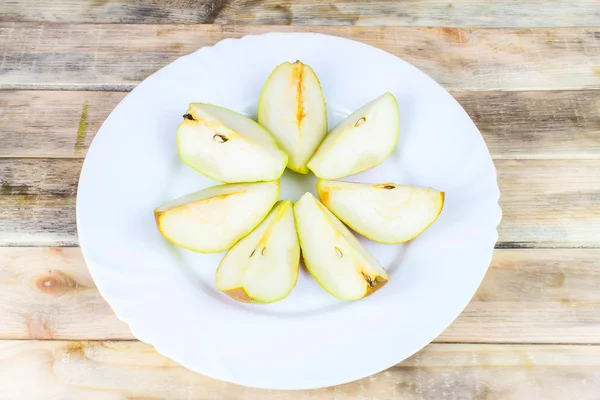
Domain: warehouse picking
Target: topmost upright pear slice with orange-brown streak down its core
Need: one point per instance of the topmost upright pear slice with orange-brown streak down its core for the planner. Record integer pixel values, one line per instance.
(292, 108)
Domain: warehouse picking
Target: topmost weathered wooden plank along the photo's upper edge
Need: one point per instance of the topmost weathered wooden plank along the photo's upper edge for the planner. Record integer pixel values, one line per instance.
(458, 13)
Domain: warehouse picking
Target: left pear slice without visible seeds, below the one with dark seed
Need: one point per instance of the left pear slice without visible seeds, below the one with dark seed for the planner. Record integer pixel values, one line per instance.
(215, 218)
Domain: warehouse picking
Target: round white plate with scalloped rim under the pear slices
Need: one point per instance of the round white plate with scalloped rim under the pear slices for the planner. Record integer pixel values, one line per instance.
(310, 339)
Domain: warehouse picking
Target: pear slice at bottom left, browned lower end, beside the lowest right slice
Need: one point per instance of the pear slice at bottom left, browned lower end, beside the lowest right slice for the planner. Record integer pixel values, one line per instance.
(263, 266)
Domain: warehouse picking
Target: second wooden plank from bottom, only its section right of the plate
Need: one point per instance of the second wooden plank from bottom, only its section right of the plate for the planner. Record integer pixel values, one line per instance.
(534, 296)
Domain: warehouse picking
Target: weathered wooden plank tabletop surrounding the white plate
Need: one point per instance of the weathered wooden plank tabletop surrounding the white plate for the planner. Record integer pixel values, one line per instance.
(527, 72)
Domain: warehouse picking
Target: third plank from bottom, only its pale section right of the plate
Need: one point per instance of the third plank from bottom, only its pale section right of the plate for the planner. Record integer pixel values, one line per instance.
(555, 202)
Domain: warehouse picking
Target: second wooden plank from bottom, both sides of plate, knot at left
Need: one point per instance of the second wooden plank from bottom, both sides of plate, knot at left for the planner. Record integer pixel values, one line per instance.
(527, 296)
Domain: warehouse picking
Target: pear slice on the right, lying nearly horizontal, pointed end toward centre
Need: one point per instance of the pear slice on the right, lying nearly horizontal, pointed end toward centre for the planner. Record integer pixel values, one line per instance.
(386, 213)
